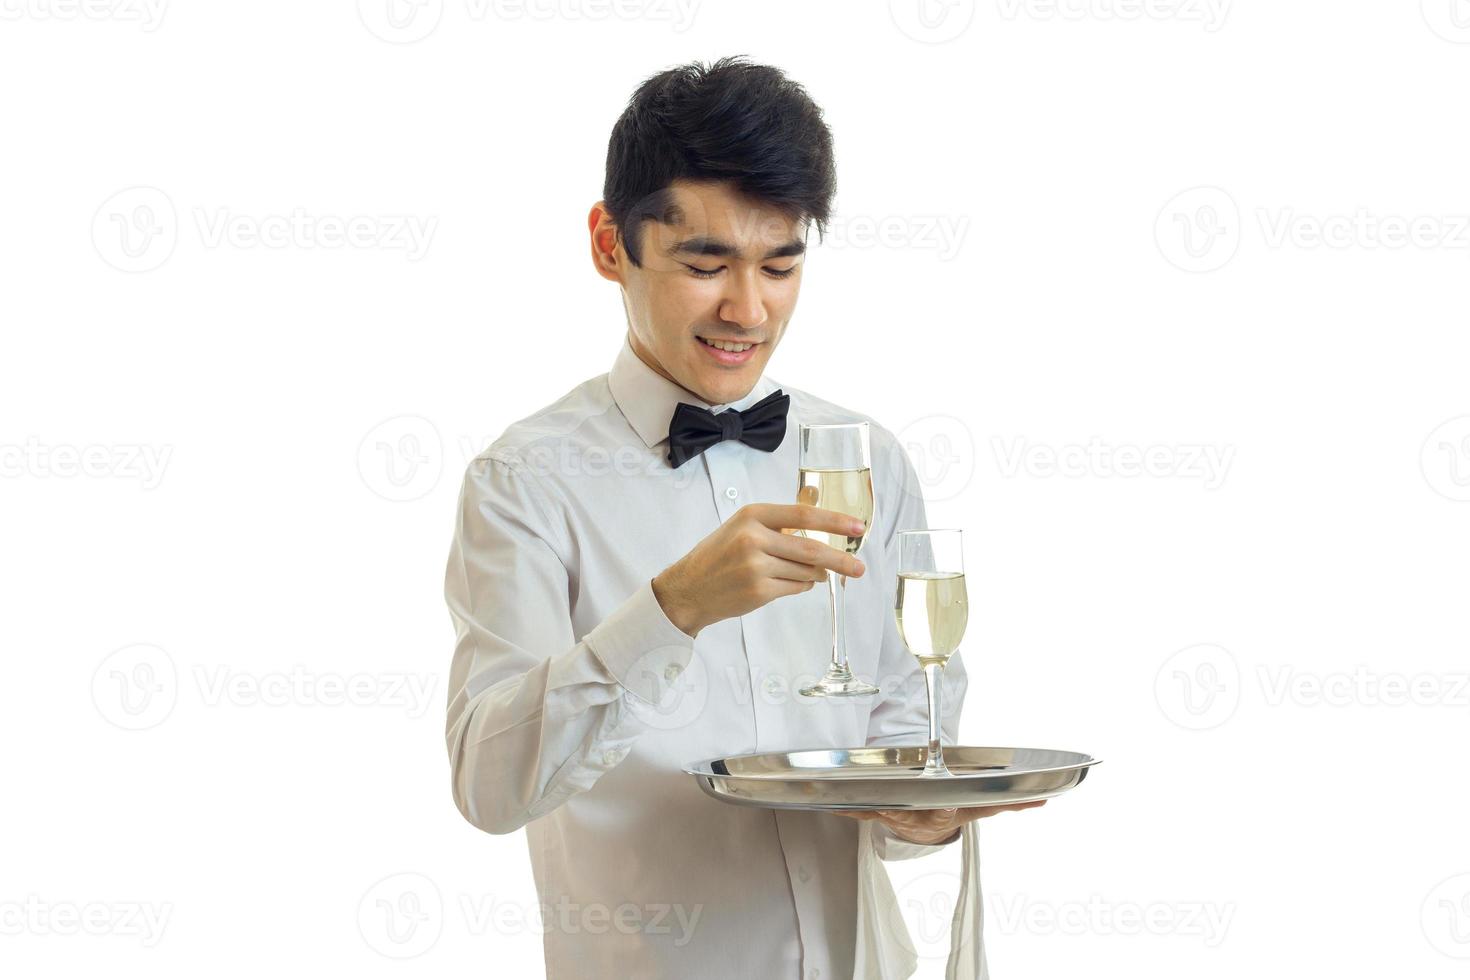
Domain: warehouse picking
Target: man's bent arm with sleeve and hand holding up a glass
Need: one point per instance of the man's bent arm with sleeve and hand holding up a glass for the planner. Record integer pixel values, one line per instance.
(536, 715)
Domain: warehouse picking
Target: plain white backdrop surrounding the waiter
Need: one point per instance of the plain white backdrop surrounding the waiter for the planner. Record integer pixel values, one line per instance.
(1071, 239)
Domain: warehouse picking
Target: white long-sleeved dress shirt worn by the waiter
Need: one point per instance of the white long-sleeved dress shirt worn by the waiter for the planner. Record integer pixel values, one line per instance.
(576, 703)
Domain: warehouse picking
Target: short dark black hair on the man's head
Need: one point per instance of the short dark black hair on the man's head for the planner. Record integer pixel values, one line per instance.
(730, 121)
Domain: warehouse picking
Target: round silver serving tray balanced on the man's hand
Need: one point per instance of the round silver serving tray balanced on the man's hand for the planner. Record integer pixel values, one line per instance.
(883, 778)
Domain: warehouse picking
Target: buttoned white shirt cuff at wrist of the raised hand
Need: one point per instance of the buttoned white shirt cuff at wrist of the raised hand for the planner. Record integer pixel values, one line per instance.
(640, 647)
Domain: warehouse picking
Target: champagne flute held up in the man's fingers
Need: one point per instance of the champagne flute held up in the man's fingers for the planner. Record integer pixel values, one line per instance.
(837, 475)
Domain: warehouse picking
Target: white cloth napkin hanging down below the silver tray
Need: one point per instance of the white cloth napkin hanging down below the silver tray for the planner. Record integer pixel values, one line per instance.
(884, 948)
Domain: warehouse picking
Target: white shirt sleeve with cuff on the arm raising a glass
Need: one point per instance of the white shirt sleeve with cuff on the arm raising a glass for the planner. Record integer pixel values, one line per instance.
(534, 715)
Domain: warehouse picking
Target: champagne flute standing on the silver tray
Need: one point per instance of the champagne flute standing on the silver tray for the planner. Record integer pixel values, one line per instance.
(933, 612)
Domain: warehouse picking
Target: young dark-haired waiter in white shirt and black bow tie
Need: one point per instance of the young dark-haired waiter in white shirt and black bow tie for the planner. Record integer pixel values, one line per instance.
(625, 600)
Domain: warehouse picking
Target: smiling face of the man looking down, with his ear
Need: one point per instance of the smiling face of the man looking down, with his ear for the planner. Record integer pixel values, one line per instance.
(715, 292)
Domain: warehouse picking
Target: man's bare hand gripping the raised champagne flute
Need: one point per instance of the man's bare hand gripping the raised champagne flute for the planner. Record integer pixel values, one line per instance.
(749, 562)
